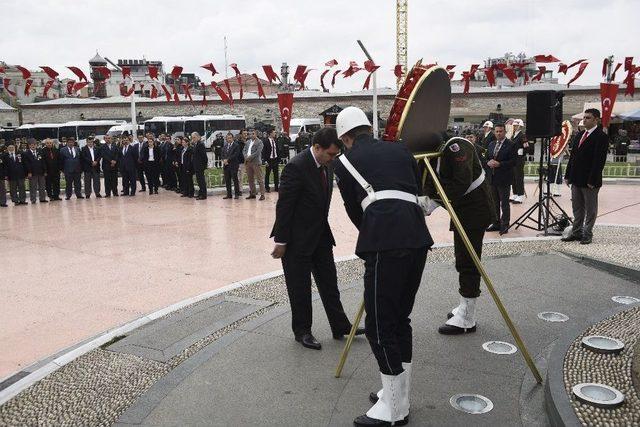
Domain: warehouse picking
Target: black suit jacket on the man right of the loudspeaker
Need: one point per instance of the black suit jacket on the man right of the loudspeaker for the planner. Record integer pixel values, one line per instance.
(587, 161)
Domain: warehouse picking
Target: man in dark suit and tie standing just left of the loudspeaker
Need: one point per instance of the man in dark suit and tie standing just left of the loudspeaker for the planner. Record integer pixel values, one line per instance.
(501, 157)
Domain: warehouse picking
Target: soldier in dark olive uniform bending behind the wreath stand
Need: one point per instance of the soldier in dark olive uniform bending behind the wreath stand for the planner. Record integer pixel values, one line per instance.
(462, 176)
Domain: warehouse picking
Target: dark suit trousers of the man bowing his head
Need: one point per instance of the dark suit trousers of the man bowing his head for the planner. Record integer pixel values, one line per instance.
(297, 273)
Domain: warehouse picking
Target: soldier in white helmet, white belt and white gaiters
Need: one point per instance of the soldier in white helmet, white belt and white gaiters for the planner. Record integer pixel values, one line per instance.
(379, 183)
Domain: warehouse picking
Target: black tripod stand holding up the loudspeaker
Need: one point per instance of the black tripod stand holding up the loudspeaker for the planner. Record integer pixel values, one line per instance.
(541, 214)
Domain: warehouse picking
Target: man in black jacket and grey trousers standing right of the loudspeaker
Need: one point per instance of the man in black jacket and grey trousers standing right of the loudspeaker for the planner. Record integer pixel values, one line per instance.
(584, 175)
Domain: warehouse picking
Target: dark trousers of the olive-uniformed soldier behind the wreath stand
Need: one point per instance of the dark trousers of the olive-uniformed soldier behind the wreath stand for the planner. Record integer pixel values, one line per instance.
(468, 274)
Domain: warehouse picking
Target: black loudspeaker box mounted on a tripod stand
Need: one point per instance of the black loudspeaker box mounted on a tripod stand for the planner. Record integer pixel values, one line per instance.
(544, 113)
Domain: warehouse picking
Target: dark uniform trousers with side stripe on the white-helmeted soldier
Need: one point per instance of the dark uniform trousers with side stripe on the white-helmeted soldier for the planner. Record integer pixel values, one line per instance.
(391, 281)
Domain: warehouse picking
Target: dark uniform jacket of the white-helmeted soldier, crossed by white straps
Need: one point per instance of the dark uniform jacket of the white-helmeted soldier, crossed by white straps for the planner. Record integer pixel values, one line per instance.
(386, 224)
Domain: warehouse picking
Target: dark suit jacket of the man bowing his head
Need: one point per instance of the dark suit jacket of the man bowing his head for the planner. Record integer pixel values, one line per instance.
(303, 207)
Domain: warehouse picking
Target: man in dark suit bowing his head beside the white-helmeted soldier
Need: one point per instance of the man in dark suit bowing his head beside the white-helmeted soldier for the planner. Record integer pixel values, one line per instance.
(303, 238)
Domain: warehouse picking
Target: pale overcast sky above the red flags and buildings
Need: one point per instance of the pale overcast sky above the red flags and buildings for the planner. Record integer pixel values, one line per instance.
(191, 33)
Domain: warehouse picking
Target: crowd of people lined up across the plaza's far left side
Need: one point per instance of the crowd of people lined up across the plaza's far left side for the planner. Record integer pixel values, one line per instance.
(144, 162)
